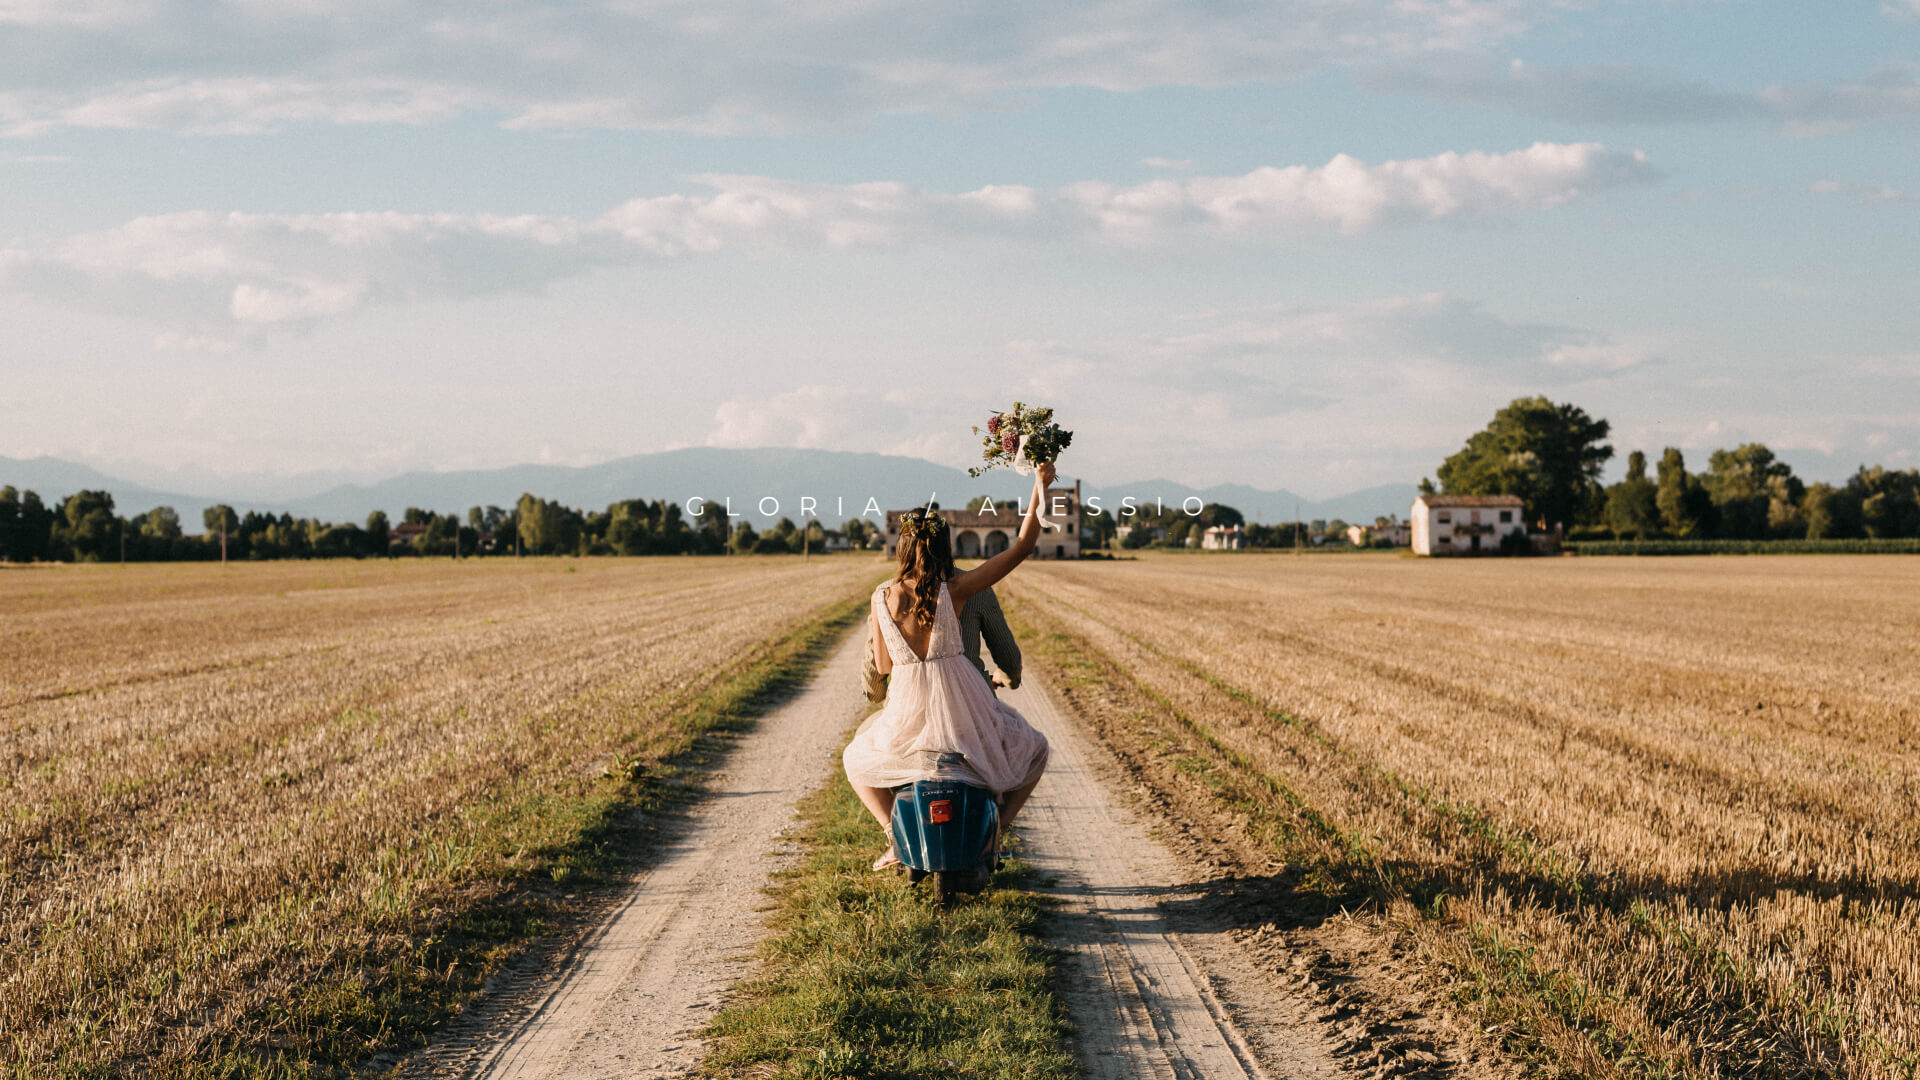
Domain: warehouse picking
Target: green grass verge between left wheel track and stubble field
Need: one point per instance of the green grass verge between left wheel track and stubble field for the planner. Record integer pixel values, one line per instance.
(529, 864)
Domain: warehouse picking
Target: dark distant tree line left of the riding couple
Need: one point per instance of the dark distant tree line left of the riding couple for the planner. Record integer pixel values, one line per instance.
(85, 528)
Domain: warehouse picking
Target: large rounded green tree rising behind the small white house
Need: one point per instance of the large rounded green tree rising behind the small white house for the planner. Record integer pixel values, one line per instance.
(1533, 449)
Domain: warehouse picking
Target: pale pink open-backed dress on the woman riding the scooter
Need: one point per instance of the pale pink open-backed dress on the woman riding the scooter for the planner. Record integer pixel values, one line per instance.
(942, 706)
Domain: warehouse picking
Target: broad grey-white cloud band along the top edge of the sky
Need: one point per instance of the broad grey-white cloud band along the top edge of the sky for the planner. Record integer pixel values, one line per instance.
(663, 64)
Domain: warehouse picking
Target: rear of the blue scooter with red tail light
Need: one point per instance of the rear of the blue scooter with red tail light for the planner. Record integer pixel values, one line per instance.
(949, 831)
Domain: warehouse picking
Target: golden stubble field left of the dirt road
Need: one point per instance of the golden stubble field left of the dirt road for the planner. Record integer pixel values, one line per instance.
(243, 810)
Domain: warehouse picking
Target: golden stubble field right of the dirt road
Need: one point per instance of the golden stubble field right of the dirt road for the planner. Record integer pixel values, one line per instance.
(1664, 816)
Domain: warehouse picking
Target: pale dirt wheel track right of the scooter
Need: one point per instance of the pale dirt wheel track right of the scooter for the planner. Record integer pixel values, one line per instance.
(1147, 998)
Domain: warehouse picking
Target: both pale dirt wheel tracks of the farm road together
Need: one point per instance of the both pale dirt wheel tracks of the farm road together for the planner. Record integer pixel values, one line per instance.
(1145, 998)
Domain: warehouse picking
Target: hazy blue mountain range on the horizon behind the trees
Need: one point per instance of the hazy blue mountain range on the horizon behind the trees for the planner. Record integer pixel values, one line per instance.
(763, 487)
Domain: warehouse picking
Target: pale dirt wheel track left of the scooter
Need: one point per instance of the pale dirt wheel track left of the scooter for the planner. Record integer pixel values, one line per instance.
(627, 1000)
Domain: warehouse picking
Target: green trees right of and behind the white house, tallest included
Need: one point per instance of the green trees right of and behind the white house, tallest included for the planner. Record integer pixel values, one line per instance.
(1552, 456)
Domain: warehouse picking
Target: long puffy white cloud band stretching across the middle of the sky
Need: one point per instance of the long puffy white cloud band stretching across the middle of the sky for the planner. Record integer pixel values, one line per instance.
(220, 274)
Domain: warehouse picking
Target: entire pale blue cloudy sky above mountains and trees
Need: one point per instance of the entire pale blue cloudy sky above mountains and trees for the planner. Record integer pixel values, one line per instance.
(1282, 243)
